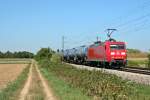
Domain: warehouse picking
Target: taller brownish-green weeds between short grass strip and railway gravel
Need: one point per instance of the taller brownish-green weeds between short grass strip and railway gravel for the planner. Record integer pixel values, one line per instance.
(95, 84)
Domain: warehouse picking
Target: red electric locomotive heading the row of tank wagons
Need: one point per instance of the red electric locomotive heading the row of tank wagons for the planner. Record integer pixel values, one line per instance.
(107, 54)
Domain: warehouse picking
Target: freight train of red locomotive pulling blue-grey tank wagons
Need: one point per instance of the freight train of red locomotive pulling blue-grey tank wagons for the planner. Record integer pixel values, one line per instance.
(108, 54)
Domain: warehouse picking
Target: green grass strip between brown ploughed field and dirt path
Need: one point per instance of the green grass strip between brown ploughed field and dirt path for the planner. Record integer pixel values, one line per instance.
(8, 93)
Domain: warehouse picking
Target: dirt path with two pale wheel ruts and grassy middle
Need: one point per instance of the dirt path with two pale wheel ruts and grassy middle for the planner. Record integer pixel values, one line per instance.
(36, 88)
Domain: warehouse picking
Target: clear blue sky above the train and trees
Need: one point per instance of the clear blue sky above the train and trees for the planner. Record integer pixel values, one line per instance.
(32, 24)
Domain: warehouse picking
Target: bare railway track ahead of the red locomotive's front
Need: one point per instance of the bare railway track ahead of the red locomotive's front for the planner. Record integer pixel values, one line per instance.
(136, 70)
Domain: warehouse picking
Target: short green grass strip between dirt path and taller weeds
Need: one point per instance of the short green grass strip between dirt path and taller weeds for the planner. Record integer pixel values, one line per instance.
(62, 89)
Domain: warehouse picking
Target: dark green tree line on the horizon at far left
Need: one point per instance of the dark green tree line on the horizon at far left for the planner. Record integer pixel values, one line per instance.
(20, 54)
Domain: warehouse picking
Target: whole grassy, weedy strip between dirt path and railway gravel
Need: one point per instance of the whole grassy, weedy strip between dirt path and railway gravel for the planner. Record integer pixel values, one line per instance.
(91, 84)
